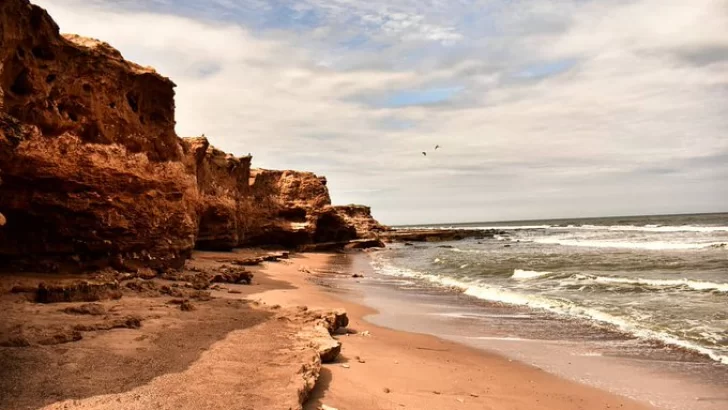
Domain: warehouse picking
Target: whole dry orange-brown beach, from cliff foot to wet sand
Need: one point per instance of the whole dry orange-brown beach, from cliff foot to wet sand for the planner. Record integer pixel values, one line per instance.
(250, 346)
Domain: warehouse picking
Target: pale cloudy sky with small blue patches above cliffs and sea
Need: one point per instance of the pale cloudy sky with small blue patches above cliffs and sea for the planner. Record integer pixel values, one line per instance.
(543, 108)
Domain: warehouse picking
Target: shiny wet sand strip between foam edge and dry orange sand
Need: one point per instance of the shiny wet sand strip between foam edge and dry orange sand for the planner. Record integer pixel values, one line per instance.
(664, 376)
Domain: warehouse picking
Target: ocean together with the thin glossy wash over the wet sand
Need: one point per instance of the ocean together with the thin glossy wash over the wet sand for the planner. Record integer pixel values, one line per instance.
(638, 305)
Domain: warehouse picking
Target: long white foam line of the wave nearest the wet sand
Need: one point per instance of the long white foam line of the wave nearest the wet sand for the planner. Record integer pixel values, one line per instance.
(495, 294)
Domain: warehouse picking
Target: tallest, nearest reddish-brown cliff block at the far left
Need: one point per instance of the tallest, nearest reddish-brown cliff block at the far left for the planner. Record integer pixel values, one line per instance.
(91, 167)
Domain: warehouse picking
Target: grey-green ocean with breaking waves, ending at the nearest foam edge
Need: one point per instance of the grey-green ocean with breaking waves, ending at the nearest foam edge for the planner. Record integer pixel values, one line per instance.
(659, 278)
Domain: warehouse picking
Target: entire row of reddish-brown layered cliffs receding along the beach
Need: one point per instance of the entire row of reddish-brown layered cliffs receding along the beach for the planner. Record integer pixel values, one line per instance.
(94, 175)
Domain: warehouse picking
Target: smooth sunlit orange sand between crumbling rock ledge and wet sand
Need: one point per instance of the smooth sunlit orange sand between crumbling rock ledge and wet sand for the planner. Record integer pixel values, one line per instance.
(410, 370)
